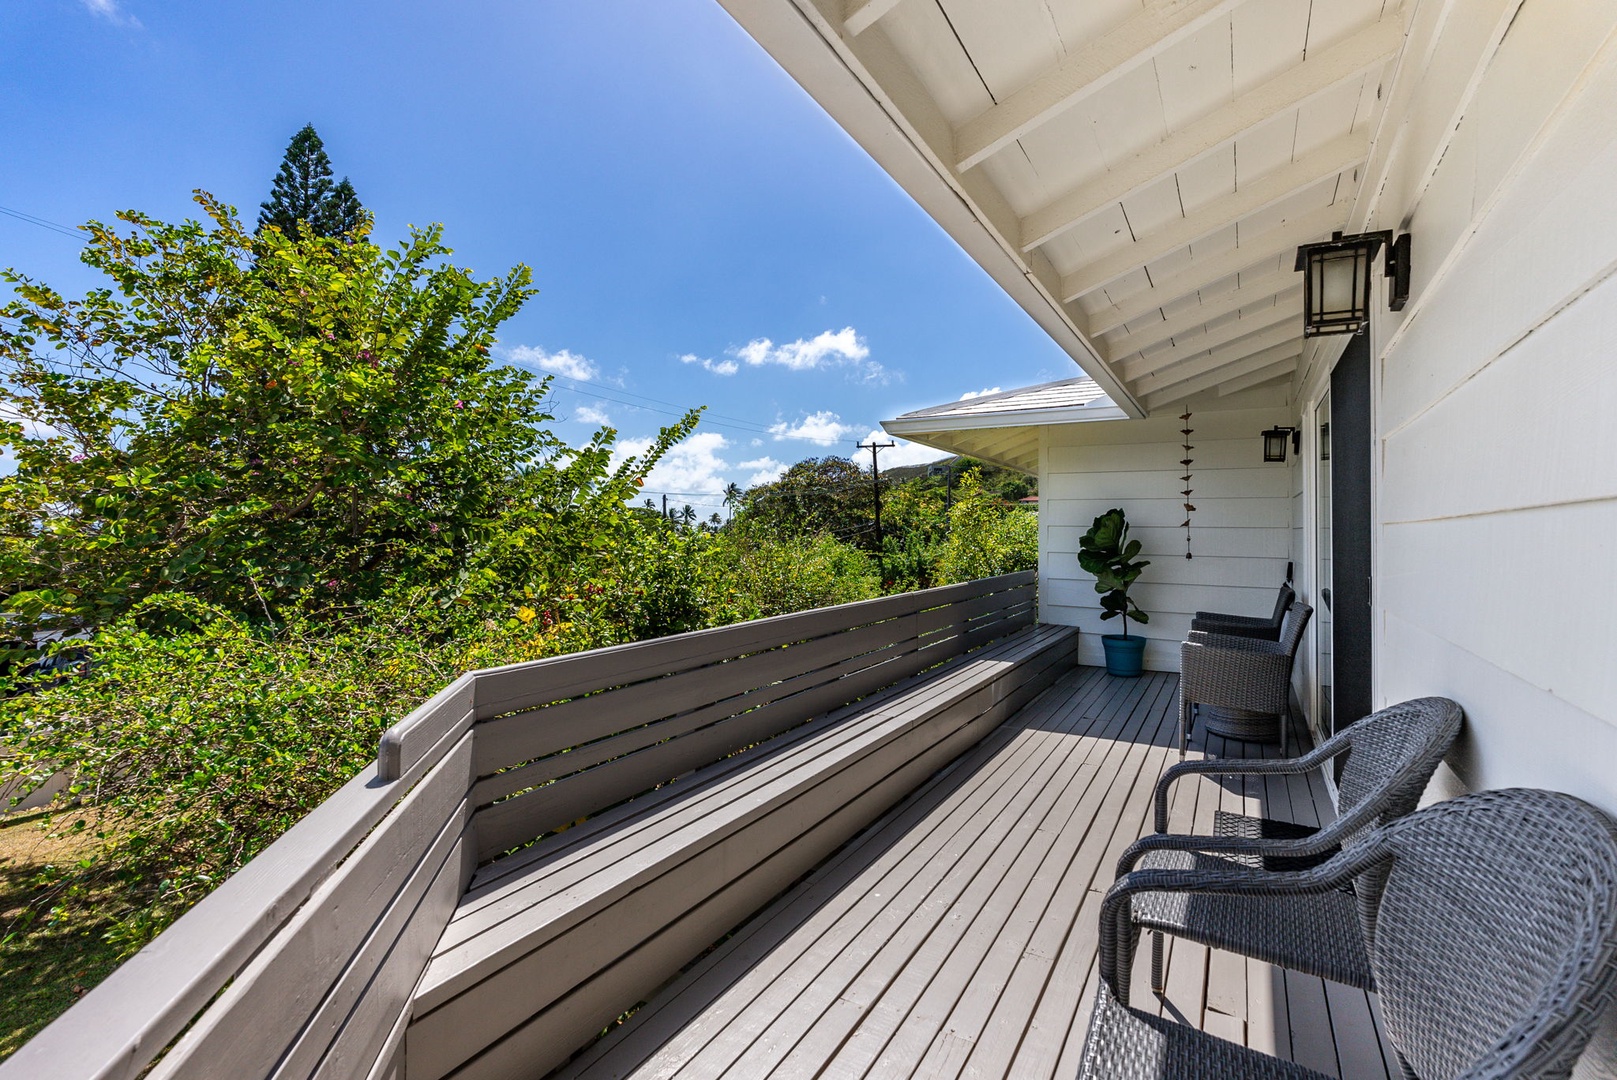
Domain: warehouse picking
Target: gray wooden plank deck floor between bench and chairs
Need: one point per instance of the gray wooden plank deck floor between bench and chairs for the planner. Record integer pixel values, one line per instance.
(956, 935)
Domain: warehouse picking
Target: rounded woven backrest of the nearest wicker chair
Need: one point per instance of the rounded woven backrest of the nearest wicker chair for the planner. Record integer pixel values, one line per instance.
(1495, 947)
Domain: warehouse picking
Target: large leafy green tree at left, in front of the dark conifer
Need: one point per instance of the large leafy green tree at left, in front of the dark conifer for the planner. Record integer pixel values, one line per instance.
(281, 420)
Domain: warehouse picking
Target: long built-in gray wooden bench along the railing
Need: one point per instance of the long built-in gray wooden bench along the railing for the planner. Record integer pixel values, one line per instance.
(557, 940)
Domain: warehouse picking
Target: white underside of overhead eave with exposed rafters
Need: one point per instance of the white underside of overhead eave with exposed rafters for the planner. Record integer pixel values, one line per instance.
(1136, 174)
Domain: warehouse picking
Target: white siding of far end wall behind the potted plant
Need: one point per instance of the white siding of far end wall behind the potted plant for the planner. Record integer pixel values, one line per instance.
(1241, 531)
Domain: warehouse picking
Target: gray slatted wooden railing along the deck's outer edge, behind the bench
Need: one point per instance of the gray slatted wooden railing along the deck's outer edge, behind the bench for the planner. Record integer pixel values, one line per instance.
(303, 964)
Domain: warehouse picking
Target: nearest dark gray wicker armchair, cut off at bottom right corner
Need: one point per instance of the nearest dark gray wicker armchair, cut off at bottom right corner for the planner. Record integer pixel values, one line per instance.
(1495, 945)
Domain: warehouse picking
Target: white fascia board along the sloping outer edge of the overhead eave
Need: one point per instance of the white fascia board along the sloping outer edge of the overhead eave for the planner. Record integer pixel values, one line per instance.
(809, 49)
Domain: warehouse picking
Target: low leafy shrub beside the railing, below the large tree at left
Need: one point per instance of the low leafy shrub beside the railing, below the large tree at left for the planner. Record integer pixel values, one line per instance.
(193, 751)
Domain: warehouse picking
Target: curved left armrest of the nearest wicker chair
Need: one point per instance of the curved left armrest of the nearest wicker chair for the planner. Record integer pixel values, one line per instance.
(1117, 924)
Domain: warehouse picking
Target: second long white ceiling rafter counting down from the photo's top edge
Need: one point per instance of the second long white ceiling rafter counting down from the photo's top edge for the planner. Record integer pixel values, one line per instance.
(1288, 91)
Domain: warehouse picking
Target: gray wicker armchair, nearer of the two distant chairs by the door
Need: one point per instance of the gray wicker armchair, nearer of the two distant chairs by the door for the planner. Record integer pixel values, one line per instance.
(1248, 680)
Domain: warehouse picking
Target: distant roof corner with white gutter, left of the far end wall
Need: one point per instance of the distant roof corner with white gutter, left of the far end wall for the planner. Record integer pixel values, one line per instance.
(1003, 428)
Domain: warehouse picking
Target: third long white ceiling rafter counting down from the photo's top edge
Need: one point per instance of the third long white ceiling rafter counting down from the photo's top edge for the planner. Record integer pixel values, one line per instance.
(1330, 161)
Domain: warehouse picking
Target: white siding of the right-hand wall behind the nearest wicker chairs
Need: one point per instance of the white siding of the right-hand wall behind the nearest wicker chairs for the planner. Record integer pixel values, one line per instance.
(1497, 505)
